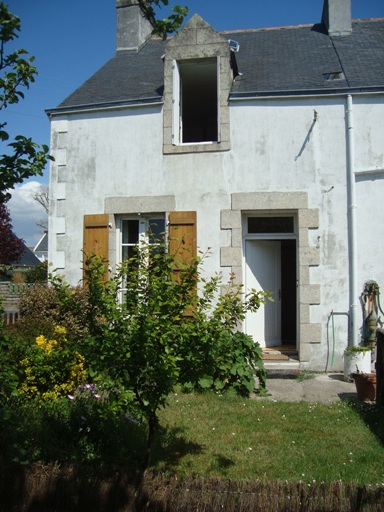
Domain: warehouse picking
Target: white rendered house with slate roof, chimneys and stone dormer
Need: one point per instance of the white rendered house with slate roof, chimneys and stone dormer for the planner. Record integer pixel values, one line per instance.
(265, 146)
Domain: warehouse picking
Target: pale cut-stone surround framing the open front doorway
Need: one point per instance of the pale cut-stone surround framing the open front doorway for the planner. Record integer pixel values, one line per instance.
(308, 293)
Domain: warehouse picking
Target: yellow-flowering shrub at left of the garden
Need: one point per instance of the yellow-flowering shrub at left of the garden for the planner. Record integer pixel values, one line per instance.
(51, 368)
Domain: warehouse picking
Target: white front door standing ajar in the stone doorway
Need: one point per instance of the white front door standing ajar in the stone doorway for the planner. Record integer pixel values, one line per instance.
(263, 272)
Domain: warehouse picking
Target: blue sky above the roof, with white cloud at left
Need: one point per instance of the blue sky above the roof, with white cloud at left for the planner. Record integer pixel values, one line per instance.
(71, 39)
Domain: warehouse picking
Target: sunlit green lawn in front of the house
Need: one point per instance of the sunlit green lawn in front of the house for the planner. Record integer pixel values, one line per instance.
(225, 436)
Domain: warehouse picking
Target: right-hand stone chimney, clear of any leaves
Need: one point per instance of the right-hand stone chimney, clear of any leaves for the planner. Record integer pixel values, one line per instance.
(337, 17)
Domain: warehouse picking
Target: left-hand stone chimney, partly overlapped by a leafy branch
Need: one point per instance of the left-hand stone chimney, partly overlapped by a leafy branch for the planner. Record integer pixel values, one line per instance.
(132, 28)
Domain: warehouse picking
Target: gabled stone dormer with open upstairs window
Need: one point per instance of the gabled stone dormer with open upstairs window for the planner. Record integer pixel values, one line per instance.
(199, 68)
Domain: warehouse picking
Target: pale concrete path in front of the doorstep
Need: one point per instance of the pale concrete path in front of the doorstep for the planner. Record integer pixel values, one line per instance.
(322, 387)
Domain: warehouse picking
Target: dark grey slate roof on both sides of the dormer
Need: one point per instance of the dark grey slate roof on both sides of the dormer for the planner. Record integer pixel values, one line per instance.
(281, 61)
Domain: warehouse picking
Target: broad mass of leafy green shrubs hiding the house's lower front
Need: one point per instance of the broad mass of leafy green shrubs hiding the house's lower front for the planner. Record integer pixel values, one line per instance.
(163, 329)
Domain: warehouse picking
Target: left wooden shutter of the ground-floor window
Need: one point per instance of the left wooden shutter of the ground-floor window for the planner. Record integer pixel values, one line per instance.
(95, 237)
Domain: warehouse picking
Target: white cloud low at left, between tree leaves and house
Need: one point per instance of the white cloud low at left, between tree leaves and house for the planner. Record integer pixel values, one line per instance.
(26, 211)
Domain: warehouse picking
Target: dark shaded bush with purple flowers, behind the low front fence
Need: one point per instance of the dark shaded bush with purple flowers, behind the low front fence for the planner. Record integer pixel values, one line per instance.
(85, 428)
